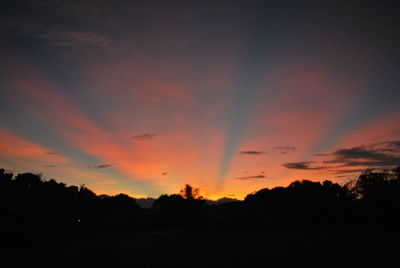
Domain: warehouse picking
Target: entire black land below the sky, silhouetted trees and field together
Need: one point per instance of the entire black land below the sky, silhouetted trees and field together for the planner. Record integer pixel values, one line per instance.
(46, 223)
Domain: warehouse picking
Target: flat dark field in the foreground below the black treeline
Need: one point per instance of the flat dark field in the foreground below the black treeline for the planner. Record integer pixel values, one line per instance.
(208, 248)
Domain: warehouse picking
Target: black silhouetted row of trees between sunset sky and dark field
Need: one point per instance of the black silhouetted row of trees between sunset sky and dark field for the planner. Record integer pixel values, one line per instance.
(373, 199)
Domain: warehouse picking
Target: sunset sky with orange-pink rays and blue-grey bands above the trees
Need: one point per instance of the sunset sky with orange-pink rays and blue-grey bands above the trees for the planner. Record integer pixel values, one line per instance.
(141, 97)
